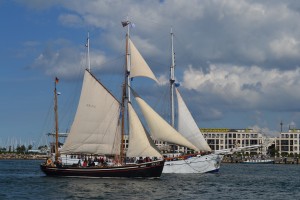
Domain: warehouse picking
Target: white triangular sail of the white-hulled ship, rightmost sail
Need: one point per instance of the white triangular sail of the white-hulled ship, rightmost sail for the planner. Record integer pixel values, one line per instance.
(188, 127)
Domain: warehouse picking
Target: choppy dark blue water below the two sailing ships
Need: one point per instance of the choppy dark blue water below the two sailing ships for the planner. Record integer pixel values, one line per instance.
(22, 179)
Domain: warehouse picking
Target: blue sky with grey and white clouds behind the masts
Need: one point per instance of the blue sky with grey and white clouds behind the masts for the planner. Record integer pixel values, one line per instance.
(237, 61)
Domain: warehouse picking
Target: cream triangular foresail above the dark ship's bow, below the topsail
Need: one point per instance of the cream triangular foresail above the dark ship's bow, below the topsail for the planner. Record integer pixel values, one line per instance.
(139, 143)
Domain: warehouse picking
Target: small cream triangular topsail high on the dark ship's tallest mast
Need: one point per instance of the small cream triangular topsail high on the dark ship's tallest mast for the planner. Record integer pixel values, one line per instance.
(138, 66)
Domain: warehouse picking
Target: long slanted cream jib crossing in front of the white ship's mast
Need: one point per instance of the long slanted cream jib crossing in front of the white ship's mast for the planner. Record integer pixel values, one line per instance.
(159, 128)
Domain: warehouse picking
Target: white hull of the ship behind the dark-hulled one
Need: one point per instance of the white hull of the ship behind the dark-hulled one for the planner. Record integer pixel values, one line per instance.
(197, 164)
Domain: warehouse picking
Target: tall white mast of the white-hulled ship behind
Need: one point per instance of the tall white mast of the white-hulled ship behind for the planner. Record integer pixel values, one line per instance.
(172, 80)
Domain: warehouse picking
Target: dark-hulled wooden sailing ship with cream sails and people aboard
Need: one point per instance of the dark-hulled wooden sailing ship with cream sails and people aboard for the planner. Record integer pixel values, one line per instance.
(97, 132)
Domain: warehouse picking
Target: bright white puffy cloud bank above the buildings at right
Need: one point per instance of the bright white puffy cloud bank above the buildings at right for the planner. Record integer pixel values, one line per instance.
(246, 87)
